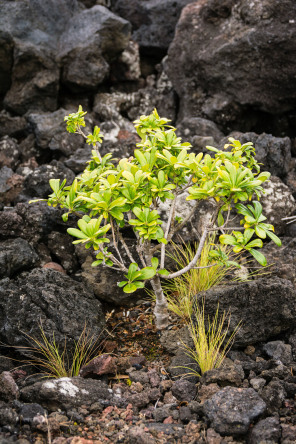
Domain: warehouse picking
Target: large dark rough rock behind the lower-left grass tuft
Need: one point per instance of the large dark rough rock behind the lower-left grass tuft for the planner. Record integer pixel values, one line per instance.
(45, 297)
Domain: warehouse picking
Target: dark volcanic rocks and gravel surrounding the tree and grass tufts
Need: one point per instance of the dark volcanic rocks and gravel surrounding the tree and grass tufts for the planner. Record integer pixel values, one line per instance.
(216, 68)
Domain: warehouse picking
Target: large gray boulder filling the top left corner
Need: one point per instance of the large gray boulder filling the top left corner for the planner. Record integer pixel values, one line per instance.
(44, 41)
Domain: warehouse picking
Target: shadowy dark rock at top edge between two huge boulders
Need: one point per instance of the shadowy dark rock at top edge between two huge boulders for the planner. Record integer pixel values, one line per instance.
(153, 22)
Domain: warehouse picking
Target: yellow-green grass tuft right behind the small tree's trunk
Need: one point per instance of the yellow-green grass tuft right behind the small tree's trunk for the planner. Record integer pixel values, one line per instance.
(181, 291)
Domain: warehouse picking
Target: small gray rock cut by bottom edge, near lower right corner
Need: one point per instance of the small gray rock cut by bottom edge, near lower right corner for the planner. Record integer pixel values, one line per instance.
(267, 429)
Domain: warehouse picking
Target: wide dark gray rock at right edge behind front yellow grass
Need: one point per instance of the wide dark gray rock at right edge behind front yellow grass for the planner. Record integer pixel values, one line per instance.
(248, 302)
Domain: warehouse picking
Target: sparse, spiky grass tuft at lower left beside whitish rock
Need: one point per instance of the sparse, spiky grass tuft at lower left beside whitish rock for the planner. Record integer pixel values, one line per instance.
(56, 363)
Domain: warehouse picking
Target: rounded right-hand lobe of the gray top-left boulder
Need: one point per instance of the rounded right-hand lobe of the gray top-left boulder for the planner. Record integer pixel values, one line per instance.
(93, 38)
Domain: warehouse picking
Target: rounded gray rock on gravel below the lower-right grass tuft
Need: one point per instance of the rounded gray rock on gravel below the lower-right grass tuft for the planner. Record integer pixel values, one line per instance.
(232, 410)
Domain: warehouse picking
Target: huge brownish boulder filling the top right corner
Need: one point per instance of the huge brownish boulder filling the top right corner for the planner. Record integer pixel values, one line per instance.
(229, 57)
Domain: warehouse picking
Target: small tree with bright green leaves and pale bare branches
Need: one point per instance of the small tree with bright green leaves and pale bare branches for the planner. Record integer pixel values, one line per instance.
(109, 196)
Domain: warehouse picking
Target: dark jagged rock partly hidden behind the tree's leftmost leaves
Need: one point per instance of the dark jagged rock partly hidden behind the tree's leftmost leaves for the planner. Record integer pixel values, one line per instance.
(36, 183)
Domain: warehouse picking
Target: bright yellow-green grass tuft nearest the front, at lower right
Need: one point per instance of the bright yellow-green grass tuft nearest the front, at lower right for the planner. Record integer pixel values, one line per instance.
(209, 339)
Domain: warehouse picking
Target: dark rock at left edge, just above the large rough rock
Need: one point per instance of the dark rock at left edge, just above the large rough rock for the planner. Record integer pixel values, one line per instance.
(16, 255)
